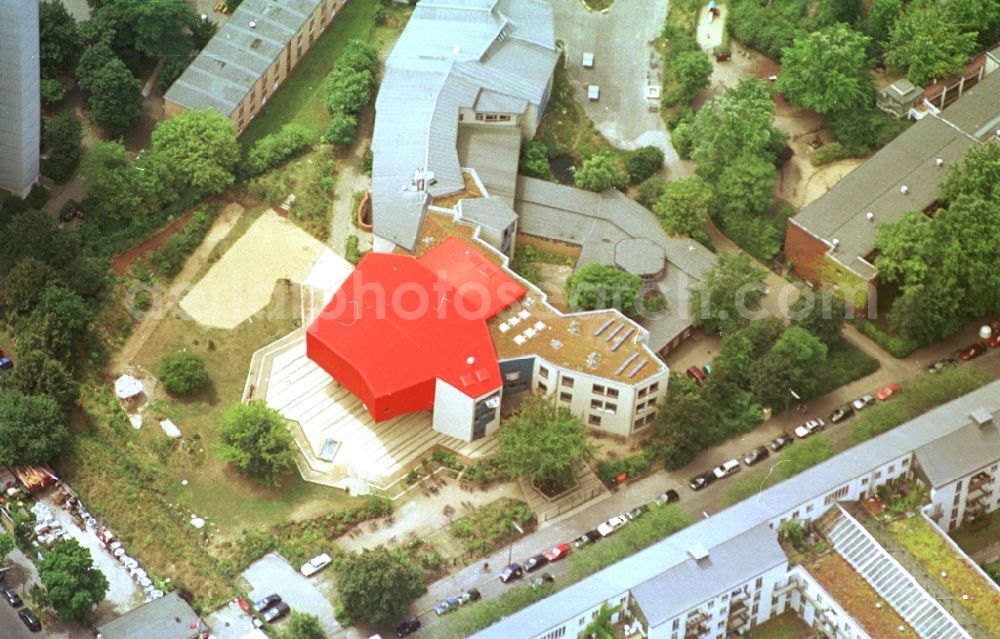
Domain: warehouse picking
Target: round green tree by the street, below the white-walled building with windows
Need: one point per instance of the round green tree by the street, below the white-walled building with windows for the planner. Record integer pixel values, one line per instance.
(545, 442)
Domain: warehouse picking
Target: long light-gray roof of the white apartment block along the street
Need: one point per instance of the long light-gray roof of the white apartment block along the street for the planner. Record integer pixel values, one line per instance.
(751, 514)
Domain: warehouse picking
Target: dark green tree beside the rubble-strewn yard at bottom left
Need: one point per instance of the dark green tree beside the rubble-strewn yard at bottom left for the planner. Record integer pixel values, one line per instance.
(71, 583)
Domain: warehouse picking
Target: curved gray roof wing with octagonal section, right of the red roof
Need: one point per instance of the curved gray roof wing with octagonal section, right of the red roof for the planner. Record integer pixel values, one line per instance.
(597, 222)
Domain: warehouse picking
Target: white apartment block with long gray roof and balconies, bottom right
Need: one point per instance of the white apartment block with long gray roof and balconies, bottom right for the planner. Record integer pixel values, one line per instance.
(727, 573)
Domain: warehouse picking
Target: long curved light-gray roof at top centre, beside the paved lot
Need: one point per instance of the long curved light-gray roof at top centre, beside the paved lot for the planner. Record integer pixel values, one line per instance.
(451, 55)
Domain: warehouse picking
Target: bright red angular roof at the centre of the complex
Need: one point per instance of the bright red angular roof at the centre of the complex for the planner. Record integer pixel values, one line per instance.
(399, 323)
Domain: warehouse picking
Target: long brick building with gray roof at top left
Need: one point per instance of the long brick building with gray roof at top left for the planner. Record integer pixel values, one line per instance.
(250, 57)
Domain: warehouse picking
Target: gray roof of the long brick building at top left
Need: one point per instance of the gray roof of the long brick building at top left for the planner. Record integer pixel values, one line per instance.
(238, 56)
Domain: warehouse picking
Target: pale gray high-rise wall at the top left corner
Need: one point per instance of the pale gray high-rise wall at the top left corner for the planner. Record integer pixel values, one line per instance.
(20, 96)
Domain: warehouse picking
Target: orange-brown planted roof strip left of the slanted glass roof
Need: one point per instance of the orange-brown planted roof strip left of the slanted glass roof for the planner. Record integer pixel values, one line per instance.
(858, 598)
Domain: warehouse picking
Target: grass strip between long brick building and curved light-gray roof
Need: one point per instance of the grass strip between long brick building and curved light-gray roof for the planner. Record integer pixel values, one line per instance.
(300, 99)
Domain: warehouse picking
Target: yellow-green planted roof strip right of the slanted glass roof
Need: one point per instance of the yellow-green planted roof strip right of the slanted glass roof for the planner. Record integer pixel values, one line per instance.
(951, 570)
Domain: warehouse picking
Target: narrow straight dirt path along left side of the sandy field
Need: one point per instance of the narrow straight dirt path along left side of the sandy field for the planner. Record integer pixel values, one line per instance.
(141, 332)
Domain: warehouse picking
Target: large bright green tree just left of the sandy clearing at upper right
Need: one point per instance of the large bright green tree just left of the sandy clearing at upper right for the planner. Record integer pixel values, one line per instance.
(737, 123)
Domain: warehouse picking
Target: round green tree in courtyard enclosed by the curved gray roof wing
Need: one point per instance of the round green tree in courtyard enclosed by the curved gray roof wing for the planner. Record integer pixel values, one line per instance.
(599, 286)
